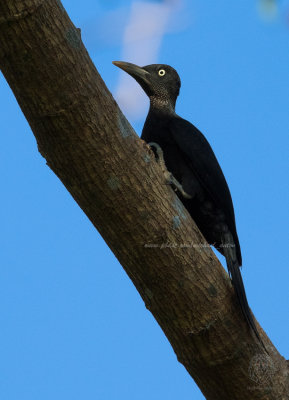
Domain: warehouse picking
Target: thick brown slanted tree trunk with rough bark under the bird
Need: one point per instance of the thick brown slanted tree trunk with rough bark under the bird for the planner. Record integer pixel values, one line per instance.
(114, 178)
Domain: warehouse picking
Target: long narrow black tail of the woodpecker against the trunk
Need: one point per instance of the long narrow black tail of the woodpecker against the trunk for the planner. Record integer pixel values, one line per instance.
(235, 274)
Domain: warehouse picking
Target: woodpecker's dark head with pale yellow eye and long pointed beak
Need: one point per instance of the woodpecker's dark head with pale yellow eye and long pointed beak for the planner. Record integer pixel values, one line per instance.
(159, 81)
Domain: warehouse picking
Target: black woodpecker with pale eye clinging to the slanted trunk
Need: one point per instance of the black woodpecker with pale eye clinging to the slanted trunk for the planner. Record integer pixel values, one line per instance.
(190, 159)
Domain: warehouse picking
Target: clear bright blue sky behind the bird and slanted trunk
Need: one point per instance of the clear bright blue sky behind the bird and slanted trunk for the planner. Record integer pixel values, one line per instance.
(72, 324)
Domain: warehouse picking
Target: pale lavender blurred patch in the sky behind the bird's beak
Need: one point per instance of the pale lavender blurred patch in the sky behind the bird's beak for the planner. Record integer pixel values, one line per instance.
(148, 22)
